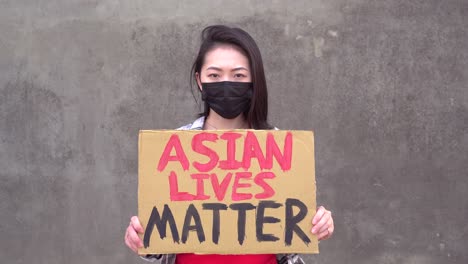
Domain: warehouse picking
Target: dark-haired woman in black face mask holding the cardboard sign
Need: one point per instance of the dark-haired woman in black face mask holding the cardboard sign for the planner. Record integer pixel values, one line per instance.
(229, 74)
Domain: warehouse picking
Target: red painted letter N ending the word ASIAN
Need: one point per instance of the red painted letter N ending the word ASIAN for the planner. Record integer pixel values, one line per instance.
(272, 149)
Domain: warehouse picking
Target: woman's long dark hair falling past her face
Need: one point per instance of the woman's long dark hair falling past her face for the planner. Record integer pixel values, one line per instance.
(257, 115)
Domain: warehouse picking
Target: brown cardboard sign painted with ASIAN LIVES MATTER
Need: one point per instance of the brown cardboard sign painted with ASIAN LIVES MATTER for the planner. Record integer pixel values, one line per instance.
(227, 192)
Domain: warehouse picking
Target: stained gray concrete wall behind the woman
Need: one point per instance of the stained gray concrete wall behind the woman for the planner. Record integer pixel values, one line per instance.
(384, 85)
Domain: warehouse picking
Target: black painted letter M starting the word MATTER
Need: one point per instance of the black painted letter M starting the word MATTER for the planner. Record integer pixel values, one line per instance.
(161, 224)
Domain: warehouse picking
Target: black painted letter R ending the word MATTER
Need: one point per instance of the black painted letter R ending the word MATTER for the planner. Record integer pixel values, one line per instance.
(292, 220)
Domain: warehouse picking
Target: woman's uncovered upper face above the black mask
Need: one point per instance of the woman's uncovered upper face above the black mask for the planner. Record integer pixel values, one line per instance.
(224, 63)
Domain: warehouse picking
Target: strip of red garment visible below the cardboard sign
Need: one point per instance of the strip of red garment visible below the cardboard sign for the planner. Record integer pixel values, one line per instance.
(225, 259)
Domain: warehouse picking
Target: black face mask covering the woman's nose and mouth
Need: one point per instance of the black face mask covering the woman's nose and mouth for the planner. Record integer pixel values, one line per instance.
(227, 99)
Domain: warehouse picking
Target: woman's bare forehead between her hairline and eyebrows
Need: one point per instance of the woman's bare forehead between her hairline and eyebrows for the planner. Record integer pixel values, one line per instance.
(226, 55)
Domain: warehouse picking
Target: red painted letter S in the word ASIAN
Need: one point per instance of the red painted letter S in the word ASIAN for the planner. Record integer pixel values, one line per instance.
(197, 146)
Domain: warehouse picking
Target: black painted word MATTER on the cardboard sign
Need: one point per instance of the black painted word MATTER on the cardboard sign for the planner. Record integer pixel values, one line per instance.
(161, 221)
